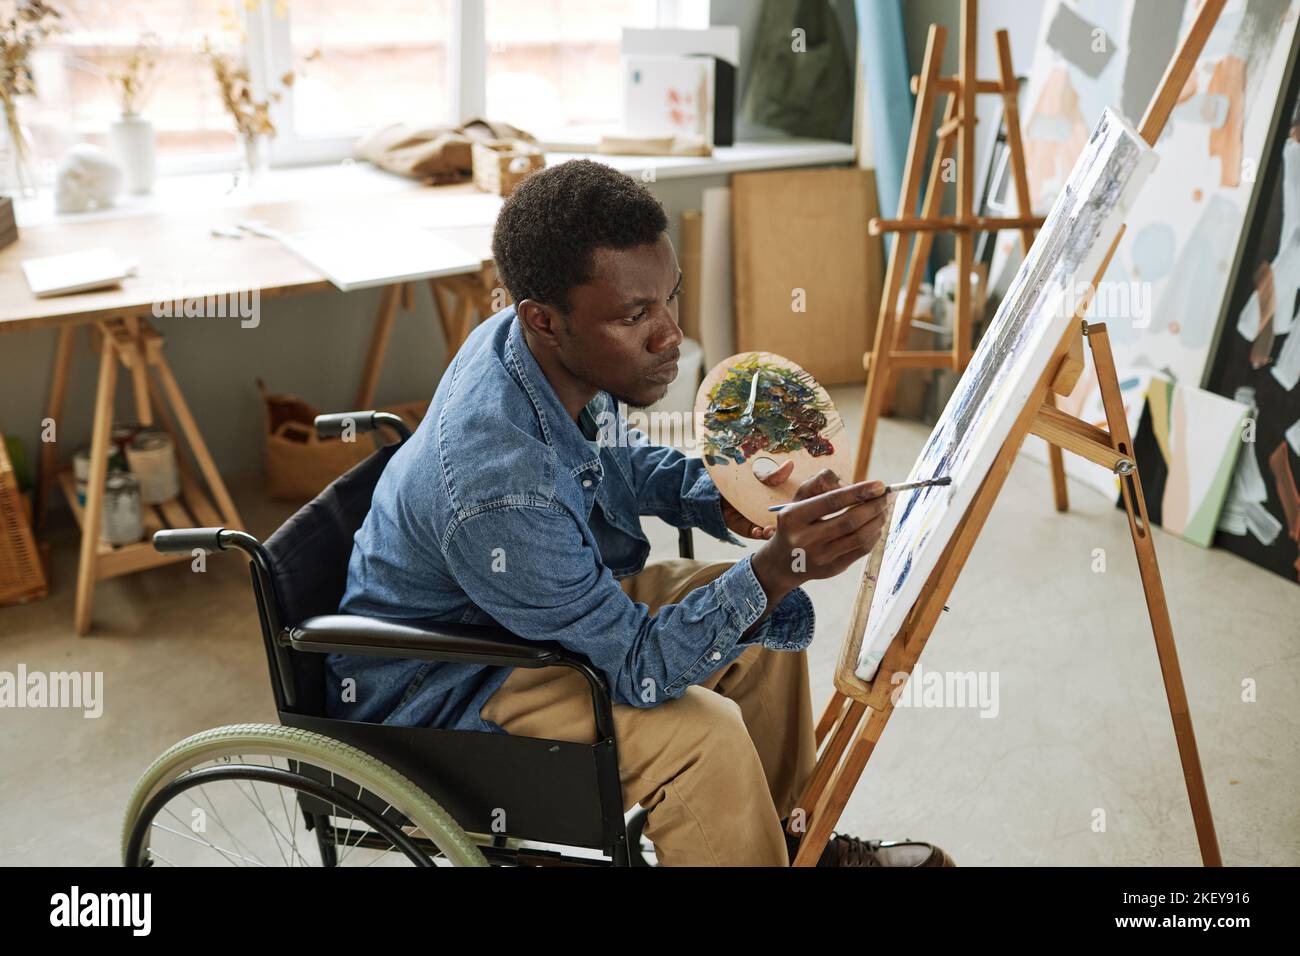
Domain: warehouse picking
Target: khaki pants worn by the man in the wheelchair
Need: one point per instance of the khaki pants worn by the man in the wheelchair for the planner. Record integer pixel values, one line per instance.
(718, 768)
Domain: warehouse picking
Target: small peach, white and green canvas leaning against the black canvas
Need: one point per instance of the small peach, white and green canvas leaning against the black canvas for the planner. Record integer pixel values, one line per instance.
(1188, 444)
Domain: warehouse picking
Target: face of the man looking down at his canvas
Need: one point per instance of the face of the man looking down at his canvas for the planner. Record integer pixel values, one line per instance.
(622, 335)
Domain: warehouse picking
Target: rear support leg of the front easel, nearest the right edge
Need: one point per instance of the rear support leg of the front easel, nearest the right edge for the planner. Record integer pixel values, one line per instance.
(1156, 604)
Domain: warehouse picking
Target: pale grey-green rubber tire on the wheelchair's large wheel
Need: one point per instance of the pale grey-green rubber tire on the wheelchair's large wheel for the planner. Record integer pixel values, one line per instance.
(291, 745)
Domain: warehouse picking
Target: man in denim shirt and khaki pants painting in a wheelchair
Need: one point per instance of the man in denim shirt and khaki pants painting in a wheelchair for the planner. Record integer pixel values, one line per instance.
(513, 505)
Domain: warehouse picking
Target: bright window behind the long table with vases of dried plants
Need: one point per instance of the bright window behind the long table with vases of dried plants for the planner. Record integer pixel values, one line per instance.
(548, 66)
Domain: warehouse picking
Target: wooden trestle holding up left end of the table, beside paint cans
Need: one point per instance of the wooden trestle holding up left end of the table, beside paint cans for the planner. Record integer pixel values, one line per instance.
(133, 344)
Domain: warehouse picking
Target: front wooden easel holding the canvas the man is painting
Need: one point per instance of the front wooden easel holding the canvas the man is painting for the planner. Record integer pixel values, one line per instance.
(860, 711)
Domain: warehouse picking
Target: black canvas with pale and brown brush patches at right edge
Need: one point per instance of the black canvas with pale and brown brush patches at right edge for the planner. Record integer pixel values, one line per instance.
(1258, 362)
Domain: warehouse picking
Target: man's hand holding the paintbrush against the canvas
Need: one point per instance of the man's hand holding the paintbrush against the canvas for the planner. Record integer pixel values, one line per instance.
(811, 546)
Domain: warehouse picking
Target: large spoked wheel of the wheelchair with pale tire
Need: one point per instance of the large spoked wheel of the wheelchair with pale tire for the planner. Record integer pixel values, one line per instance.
(266, 795)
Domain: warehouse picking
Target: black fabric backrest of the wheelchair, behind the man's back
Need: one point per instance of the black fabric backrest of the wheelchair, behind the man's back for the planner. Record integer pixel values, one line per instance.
(310, 555)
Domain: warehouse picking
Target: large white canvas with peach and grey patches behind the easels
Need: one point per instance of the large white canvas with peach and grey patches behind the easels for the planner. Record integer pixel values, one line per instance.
(1168, 285)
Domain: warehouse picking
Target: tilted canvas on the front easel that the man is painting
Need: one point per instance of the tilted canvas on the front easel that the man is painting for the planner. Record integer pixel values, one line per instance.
(1012, 358)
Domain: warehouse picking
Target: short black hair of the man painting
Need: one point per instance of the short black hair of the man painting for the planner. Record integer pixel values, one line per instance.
(556, 219)
